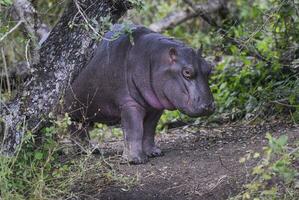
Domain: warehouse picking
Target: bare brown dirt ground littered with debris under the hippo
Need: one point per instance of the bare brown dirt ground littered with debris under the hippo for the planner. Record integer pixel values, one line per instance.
(199, 163)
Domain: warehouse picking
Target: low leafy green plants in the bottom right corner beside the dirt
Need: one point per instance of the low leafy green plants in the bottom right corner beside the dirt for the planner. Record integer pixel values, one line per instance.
(275, 175)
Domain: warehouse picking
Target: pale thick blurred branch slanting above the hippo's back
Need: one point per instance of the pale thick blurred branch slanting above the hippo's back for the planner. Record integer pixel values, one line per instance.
(178, 17)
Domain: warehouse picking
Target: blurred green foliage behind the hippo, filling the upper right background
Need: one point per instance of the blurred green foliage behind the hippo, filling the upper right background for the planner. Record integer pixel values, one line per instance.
(243, 85)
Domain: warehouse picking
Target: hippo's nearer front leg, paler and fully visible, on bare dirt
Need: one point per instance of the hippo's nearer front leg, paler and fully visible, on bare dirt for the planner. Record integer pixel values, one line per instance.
(132, 123)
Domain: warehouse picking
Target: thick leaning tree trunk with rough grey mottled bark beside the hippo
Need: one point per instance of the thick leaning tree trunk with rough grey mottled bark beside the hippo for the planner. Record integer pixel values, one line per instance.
(63, 55)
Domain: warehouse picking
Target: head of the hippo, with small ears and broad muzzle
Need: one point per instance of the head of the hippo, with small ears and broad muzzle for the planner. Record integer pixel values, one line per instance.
(180, 81)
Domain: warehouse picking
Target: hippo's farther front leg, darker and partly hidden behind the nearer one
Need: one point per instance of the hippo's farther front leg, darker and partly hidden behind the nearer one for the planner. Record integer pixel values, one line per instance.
(150, 123)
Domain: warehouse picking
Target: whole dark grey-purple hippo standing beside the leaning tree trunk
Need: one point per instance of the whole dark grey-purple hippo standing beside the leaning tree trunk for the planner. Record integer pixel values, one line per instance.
(133, 76)
